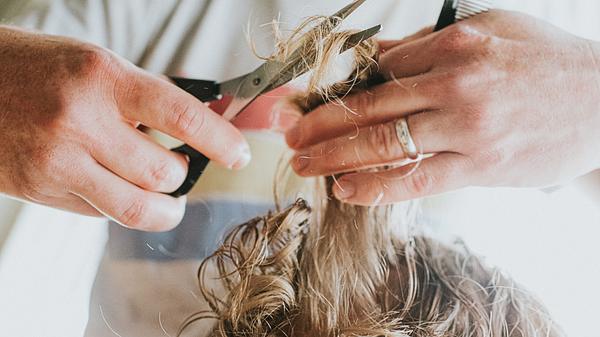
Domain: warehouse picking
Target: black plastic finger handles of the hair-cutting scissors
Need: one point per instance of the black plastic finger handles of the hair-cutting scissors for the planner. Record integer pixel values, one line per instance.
(205, 91)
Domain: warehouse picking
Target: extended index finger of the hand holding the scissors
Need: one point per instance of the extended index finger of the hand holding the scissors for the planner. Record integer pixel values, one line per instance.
(160, 105)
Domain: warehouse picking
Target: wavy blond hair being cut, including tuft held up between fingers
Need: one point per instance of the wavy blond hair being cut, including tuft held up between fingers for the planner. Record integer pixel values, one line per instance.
(335, 269)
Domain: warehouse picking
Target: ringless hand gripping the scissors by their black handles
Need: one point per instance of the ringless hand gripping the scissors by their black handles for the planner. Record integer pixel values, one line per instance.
(69, 114)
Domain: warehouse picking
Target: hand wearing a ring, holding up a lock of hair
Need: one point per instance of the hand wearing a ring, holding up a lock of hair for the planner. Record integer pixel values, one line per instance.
(499, 100)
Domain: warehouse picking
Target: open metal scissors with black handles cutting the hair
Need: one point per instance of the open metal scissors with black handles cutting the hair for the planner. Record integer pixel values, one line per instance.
(269, 76)
